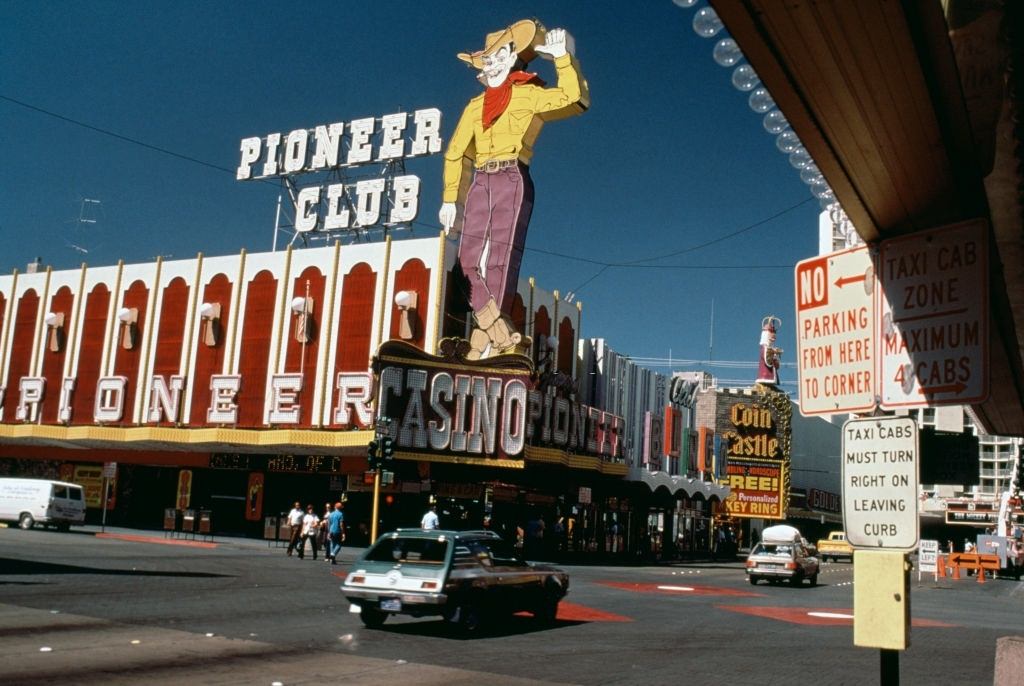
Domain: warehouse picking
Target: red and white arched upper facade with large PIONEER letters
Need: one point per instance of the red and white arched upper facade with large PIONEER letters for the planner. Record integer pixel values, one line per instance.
(253, 351)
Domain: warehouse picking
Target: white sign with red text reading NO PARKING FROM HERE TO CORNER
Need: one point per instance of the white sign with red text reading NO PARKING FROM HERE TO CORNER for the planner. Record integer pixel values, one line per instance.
(836, 351)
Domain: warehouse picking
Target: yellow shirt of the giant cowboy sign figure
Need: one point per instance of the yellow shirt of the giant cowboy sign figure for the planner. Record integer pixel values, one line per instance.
(514, 135)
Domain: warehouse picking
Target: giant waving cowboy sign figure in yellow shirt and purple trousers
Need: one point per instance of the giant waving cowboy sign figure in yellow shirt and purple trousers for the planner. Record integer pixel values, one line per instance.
(495, 138)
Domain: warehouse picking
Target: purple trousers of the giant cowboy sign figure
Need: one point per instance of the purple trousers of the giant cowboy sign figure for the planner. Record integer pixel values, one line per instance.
(497, 215)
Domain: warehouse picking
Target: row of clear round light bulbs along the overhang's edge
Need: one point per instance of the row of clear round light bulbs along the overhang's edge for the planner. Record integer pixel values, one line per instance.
(728, 54)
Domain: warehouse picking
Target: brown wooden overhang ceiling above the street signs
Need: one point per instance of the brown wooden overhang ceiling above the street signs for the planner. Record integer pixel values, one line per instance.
(874, 91)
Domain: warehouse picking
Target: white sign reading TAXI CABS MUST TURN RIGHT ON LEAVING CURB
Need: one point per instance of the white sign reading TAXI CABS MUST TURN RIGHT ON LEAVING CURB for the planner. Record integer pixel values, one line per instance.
(880, 484)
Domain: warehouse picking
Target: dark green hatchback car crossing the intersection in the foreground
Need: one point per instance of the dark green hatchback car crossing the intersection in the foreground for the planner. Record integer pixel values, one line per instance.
(467, 578)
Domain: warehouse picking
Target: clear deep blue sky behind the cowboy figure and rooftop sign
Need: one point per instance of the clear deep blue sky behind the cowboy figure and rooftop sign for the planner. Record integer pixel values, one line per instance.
(669, 158)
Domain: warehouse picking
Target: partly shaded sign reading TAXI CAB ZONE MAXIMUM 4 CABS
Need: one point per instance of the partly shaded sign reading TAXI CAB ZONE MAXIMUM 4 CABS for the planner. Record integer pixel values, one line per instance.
(934, 318)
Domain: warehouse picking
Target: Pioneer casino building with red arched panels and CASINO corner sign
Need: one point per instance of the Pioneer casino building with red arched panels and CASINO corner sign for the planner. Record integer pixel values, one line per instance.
(239, 384)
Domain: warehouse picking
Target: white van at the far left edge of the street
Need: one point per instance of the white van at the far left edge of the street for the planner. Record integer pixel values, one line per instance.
(50, 503)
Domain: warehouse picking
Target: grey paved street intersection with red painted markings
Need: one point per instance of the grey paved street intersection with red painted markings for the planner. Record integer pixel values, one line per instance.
(134, 608)
